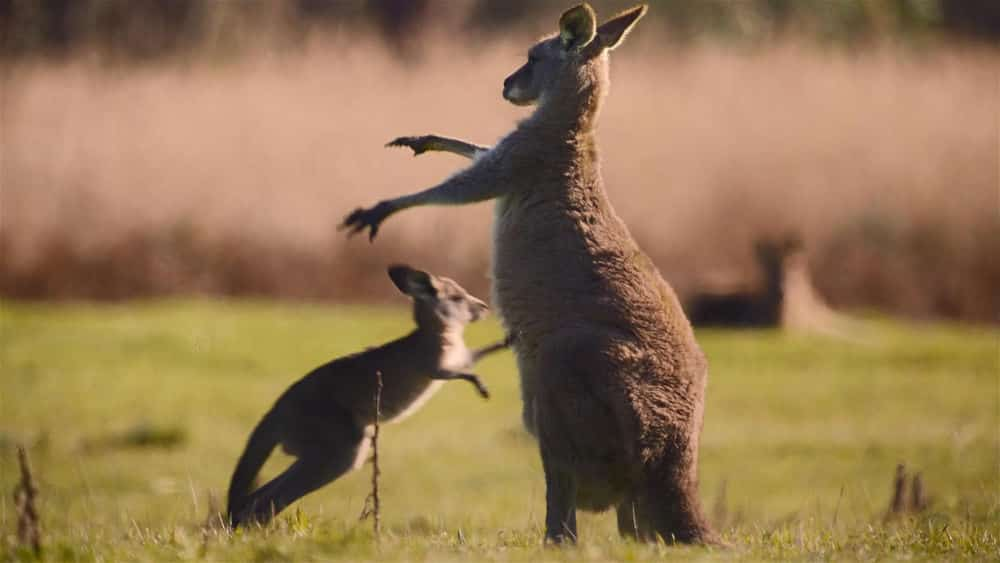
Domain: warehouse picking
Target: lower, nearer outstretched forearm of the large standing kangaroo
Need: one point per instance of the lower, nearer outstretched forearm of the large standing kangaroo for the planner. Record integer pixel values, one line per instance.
(482, 181)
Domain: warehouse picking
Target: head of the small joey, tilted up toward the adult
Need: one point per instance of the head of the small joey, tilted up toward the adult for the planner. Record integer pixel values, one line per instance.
(438, 303)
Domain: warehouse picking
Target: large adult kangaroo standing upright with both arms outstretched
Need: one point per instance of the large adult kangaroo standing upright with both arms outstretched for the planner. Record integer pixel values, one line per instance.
(612, 379)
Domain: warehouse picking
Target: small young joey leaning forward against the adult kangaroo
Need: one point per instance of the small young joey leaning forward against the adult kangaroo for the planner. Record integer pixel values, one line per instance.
(325, 419)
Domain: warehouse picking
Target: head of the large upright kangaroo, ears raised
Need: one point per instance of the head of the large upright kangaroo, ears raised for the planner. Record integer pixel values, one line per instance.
(572, 60)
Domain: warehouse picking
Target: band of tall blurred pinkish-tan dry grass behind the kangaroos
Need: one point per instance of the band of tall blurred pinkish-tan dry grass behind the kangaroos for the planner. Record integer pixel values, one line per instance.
(231, 177)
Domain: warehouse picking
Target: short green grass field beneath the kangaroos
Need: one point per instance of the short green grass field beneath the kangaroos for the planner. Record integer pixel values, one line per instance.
(134, 416)
